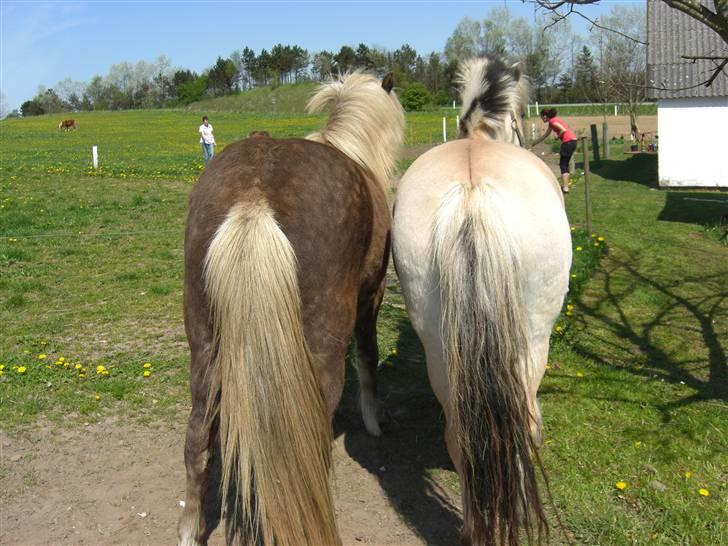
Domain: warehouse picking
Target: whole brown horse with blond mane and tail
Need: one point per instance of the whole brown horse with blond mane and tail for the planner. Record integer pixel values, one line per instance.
(286, 248)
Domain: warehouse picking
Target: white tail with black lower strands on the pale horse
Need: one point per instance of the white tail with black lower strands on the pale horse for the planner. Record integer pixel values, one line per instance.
(487, 356)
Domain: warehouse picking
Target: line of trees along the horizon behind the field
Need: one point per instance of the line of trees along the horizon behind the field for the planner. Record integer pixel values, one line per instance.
(562, 67)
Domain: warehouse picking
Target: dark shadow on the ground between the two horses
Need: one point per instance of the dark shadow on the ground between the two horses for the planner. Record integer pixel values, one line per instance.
(412, 445)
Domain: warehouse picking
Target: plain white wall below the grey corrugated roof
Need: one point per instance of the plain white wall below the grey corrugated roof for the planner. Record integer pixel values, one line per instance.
(693, 142)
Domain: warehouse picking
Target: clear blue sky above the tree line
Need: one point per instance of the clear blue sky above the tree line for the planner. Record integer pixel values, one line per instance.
(45, 42)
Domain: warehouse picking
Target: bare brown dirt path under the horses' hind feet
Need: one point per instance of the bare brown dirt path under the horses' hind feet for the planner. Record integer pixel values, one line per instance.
(116, 483)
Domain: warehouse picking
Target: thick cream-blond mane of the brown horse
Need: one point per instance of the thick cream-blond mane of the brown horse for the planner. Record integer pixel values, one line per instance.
(365, 122)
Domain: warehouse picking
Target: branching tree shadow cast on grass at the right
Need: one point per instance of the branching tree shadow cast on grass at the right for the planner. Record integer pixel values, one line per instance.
(688, 305)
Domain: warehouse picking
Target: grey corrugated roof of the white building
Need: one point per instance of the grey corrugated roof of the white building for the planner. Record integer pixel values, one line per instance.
(672, 34)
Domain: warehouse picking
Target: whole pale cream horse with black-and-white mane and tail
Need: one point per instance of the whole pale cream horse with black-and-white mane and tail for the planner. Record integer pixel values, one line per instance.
(482, 248)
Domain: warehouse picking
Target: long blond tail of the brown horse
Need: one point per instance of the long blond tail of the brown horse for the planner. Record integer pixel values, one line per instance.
(275, 433)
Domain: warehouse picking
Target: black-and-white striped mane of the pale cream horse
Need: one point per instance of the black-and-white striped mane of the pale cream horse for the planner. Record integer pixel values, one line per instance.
(490, 91)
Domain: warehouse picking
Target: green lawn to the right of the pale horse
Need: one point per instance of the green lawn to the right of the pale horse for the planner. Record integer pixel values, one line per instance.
(637, 388)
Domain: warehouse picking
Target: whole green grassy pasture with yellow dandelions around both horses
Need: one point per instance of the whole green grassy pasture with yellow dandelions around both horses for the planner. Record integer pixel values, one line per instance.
(634, 399)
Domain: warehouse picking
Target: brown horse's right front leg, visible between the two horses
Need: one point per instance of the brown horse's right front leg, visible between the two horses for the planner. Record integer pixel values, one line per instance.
(367, 353)
